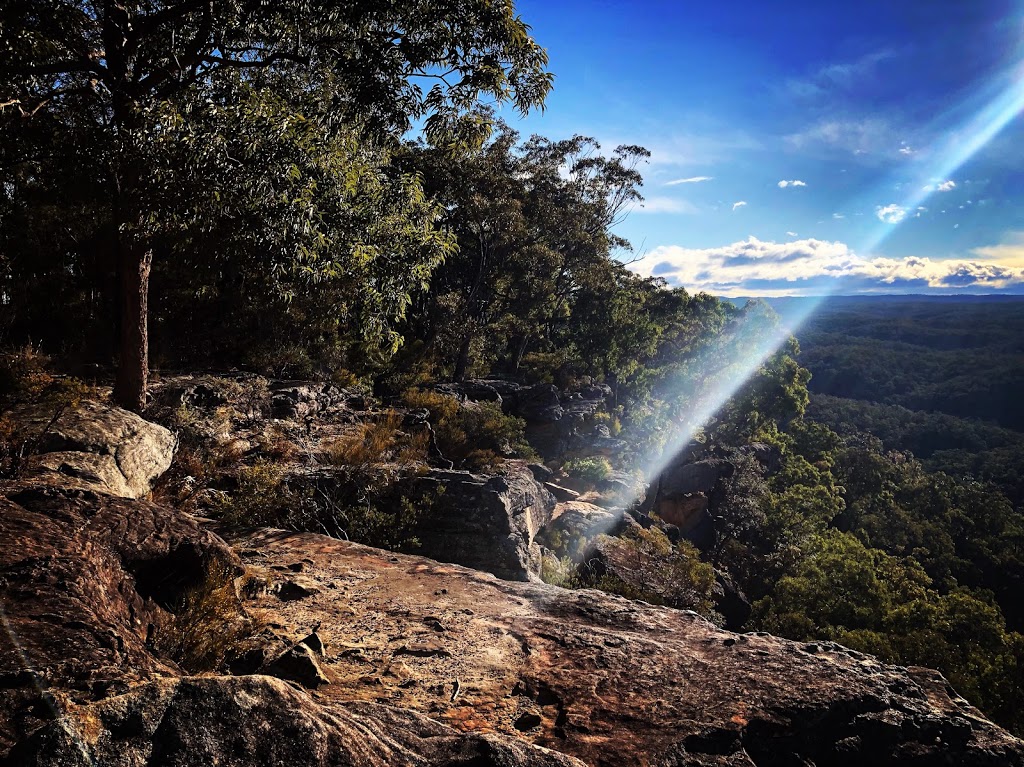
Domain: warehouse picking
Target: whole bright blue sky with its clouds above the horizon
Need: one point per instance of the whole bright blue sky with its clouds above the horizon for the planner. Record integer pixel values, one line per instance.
(804, 148)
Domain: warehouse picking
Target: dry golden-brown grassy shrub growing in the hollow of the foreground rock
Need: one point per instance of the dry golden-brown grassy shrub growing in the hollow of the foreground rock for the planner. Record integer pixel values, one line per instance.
(207, 625)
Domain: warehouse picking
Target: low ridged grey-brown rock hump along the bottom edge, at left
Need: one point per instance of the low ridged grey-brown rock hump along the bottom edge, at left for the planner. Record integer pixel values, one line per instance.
(260, 722)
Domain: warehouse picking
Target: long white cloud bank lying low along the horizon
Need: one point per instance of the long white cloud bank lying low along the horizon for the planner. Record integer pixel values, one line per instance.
(753, 268)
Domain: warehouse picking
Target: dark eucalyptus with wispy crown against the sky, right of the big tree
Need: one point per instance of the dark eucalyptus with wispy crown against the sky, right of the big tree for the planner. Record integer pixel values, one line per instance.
(534, 223)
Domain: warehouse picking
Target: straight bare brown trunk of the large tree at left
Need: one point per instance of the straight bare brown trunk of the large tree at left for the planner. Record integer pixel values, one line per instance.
(135, 264)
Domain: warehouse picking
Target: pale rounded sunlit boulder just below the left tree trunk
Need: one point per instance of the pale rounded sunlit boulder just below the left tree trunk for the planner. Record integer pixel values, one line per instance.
(97, 447)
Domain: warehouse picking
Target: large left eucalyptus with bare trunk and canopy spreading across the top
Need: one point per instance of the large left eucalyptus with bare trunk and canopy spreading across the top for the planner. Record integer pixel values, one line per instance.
(155, 82)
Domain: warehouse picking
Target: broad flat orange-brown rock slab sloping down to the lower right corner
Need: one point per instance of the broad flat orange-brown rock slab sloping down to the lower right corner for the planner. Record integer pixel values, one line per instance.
(605, 679)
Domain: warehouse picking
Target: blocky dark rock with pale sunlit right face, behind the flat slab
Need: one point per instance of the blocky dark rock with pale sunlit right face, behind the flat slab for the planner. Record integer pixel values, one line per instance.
(489, 524)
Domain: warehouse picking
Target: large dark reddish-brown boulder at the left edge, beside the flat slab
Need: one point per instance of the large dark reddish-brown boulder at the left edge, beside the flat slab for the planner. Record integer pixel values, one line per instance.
(84, 577)
